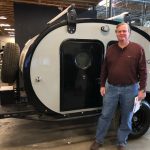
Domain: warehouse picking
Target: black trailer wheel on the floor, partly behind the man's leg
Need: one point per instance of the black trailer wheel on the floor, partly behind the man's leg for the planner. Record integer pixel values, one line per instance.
(140, 121)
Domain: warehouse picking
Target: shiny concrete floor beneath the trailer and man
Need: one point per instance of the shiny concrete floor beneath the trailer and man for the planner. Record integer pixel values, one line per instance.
(21, 134)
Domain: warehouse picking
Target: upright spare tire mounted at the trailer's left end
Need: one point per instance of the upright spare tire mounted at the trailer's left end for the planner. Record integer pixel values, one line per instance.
(10, 63)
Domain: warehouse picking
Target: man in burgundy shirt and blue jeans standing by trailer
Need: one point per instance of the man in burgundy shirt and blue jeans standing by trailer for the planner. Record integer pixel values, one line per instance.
(123, 76)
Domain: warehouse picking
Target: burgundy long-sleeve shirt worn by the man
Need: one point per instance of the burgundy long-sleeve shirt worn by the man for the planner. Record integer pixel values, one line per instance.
(124, 66)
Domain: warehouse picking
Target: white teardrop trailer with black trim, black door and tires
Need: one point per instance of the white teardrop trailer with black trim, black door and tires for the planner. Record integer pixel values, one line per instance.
(60, 69)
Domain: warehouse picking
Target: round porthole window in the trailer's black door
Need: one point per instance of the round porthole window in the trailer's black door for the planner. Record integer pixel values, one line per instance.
(83, 60)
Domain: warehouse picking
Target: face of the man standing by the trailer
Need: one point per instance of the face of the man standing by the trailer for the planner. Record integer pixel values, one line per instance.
(123, 33)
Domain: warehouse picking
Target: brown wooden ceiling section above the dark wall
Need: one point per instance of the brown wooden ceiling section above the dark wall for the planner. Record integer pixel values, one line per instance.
(6, 7)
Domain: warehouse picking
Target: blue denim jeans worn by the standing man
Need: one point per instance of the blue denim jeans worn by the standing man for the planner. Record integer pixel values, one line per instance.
(125, 97)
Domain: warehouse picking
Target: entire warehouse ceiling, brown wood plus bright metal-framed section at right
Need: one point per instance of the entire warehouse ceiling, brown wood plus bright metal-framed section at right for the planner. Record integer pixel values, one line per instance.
(139, 9)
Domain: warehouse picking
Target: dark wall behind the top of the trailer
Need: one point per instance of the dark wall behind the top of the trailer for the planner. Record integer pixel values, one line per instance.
(31, 19)
